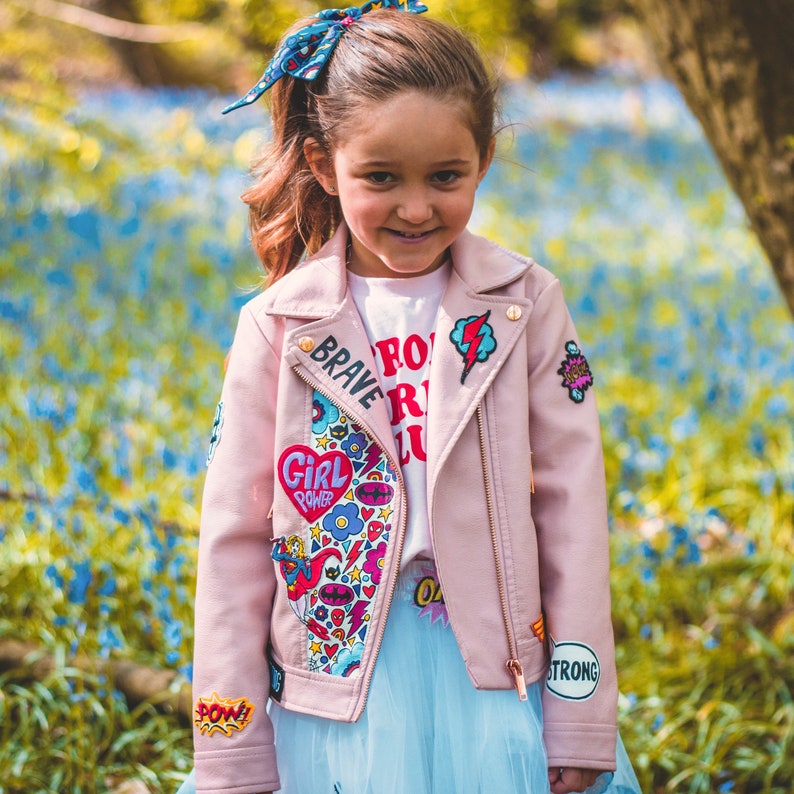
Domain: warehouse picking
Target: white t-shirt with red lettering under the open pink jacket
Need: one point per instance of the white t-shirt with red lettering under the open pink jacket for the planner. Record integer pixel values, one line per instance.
(399, 315)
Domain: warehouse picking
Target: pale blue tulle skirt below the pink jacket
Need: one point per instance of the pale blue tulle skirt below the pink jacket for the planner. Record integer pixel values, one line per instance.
(425, 729)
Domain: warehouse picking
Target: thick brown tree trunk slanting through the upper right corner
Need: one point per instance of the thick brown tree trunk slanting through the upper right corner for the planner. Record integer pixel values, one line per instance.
(733, 61)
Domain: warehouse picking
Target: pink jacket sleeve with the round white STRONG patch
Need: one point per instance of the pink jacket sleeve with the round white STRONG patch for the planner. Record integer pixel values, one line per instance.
(570, 513)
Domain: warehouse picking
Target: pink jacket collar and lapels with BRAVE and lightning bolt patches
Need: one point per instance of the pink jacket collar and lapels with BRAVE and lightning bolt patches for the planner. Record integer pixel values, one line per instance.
(316, 292)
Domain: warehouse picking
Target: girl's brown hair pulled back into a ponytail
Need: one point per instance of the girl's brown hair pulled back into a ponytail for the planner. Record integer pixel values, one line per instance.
(381, 54)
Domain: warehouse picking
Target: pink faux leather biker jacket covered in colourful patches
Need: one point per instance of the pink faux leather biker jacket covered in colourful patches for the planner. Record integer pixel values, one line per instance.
(304, 512)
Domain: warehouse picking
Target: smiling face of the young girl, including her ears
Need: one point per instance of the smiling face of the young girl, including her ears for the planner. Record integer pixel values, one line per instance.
(405, 175)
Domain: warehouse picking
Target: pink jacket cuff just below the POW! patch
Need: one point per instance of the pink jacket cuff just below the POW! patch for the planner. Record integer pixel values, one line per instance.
(254, 770)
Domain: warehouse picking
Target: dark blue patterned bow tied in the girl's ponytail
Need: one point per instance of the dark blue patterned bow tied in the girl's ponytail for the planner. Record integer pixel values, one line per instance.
(304, 53)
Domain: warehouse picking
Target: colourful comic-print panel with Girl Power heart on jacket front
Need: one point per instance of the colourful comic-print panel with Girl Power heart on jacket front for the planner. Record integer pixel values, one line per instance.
(345, 490)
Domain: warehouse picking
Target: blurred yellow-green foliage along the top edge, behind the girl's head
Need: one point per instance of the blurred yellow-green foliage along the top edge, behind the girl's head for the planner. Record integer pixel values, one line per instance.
(224, 43)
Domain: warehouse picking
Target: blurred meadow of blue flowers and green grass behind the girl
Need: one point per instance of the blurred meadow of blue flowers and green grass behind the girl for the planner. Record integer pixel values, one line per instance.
(123, 263)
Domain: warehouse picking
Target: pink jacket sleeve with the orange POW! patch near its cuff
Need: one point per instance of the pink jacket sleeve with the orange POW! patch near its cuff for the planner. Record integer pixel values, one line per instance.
(233, 735)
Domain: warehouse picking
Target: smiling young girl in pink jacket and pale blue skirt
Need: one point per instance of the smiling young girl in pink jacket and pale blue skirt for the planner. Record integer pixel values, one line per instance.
(403, 579)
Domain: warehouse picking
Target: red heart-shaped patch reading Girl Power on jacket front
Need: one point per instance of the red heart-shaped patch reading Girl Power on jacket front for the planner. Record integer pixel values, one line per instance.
(314, 482)
